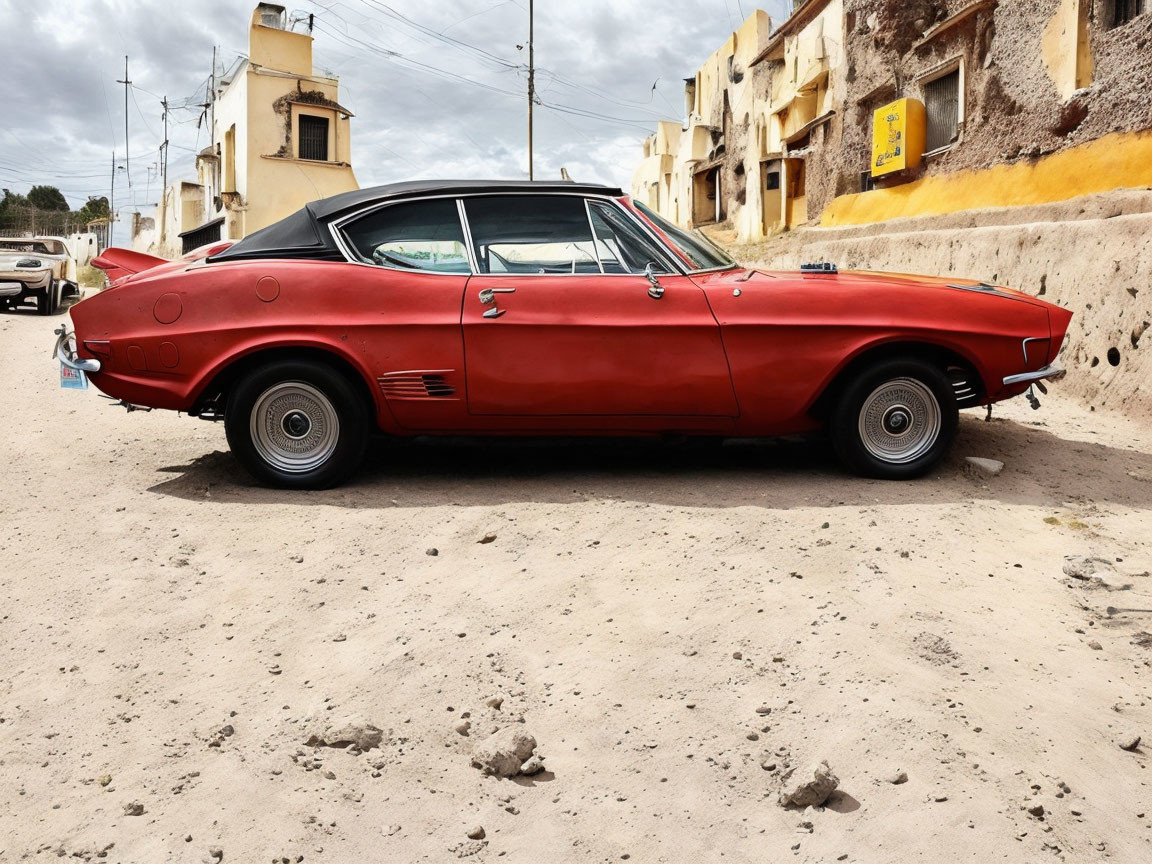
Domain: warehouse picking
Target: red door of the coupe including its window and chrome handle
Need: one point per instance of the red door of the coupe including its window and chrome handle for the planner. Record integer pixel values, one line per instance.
(562, 320)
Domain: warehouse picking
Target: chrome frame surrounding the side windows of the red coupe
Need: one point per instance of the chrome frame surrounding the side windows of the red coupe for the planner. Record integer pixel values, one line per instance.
(347, 251)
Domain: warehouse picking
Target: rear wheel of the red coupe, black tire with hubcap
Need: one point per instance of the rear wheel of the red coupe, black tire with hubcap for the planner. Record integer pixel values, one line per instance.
(315, 426)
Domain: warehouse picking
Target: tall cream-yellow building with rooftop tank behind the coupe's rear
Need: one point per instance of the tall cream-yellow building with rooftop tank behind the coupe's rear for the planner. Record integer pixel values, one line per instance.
(281, 139)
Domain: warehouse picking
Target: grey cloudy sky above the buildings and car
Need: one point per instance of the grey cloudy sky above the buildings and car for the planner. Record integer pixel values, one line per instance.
(438, 87)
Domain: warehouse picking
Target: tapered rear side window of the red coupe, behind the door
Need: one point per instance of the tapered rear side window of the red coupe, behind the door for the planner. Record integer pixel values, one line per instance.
(423, 236)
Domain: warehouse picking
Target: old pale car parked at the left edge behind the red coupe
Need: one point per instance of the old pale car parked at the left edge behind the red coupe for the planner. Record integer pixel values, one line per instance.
(36, 269)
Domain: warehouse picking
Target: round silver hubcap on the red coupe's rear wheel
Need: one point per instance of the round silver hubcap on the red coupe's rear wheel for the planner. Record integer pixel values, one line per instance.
(294, 427)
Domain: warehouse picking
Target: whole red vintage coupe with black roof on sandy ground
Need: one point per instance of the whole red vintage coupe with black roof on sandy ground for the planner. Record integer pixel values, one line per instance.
(511, 308)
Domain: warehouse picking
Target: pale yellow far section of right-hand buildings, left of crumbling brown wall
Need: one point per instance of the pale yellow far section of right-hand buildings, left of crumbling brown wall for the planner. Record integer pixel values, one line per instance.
(757, 100)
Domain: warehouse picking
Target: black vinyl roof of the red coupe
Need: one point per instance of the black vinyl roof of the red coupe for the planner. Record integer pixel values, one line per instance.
(302, 234)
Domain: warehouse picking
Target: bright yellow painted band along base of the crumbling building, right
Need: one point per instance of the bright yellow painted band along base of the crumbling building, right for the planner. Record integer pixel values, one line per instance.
(1113, 162)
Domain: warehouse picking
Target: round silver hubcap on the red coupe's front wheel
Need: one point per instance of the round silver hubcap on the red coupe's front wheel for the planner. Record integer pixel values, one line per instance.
(900, 421)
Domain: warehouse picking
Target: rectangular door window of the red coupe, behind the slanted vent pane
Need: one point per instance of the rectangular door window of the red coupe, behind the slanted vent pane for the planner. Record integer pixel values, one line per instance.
(532, 234)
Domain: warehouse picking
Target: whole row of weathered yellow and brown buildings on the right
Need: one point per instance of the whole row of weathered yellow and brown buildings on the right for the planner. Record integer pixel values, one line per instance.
(854, 112)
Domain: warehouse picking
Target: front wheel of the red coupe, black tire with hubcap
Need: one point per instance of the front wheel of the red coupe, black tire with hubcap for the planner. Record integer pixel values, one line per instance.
(908, 425)
